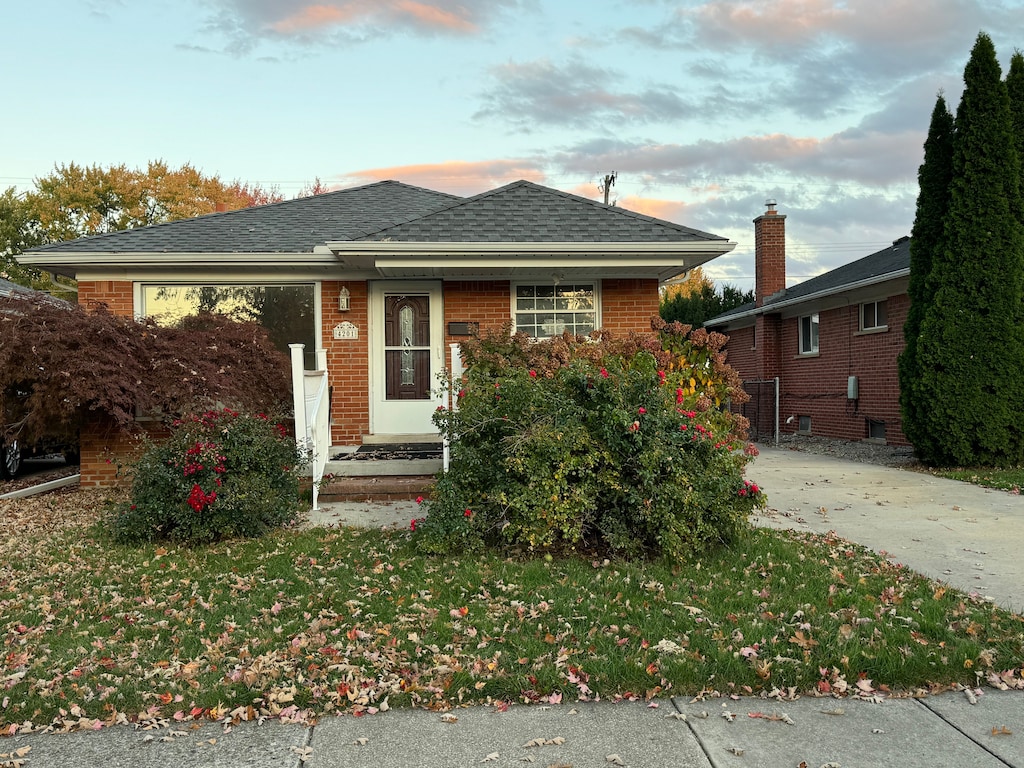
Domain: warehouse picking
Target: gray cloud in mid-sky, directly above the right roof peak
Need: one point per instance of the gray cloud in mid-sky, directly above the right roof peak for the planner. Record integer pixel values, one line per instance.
(576, 95)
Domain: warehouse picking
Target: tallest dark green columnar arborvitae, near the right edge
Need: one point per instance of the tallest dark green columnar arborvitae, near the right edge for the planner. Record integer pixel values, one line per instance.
(971, 347)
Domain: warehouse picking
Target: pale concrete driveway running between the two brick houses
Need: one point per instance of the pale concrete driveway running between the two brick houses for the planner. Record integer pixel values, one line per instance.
(970, 537)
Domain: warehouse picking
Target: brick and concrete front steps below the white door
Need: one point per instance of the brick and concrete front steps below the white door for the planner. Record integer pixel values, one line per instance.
(392, 481)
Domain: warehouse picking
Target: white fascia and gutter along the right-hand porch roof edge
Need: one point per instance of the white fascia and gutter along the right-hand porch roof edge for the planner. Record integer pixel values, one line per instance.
(537, 250)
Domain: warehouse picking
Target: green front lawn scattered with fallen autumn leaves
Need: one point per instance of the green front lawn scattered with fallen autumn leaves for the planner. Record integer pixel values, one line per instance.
(302, 624)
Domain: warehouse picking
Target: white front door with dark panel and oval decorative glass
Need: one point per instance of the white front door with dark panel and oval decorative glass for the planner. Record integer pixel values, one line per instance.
(407, 356)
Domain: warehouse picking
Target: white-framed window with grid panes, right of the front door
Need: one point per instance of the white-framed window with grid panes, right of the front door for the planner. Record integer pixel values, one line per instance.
(546, 311)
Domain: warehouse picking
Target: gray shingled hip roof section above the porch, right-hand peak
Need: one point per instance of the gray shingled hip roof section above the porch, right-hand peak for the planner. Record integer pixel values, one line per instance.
(524, 211)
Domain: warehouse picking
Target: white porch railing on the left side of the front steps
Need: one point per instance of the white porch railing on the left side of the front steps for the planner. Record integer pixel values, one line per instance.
(311, 397)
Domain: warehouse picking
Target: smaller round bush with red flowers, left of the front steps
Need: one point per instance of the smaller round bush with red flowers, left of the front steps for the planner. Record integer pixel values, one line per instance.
(220, 476)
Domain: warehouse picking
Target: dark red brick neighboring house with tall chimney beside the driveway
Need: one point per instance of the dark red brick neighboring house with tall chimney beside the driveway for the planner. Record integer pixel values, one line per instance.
(833, 342)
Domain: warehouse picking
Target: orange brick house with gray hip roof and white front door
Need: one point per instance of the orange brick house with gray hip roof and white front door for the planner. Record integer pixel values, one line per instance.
(385, 278)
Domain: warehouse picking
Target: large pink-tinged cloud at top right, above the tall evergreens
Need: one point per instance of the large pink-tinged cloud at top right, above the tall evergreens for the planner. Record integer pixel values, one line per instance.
(820, 59)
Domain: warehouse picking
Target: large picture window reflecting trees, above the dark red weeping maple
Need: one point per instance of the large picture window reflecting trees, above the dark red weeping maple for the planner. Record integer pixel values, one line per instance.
(287, 312)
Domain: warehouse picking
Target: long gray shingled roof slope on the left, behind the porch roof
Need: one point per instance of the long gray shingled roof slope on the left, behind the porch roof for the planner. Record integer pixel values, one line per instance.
(291, 227)
